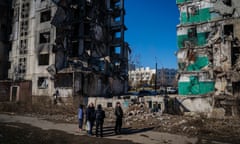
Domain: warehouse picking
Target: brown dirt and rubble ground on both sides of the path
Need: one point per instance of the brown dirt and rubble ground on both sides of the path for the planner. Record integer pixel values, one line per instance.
(225, 130)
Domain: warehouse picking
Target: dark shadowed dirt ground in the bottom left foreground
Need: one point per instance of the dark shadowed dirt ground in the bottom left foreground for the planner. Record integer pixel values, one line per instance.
(15, 133)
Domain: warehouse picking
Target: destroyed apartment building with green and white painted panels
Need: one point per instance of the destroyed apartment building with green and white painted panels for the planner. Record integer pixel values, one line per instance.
(208, 39)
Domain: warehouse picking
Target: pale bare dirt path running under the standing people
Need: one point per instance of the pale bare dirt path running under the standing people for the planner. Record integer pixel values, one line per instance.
(143, 136)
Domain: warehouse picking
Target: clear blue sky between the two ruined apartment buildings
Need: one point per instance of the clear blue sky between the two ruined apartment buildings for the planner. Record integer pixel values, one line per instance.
(152, 31)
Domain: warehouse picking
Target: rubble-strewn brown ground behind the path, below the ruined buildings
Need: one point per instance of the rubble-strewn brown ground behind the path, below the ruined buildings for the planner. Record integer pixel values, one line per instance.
(139, 117)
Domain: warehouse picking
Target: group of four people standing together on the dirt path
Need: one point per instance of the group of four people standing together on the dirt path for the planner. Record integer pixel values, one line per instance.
(97, 116)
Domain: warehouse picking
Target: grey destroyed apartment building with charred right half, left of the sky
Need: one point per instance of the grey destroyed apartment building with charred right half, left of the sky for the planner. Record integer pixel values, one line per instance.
(67, 49)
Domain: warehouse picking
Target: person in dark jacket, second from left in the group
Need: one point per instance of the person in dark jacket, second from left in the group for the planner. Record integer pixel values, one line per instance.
(90, 117)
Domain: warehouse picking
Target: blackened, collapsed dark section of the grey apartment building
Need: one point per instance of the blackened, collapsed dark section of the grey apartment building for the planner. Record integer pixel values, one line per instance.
(88, 43)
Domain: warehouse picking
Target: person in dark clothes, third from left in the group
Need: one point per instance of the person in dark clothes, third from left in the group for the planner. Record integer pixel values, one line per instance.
(99, 116)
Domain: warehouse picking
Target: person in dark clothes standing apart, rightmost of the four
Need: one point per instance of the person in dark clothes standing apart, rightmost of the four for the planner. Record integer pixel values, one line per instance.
(119, 115)
